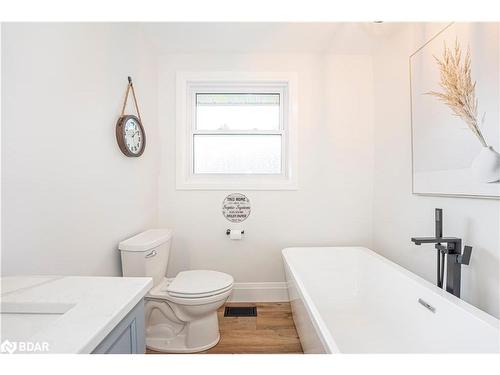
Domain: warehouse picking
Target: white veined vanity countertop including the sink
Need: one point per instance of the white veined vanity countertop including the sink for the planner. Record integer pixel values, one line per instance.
(73, 314)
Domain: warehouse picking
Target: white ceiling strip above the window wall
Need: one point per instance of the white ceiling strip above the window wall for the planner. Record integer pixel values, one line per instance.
(189, 37)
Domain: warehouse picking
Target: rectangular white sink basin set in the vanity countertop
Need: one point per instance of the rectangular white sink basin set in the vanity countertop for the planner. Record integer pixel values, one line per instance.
(20, 321)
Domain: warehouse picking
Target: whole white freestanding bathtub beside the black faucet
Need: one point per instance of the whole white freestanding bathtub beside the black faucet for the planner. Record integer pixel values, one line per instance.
(352, 300)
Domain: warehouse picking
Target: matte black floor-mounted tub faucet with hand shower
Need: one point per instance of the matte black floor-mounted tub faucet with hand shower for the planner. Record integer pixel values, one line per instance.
(451, 248)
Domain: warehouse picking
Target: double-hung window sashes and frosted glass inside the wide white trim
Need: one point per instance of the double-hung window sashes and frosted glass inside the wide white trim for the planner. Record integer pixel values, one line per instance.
(237, 134)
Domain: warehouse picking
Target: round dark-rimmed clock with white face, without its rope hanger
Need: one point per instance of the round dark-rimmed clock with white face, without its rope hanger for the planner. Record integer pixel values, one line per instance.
(130, 135)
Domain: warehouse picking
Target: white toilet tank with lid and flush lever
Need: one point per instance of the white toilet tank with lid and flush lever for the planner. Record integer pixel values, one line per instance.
(146, 254)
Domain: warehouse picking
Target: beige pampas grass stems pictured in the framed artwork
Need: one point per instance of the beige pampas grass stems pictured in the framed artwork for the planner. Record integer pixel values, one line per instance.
(459, 91)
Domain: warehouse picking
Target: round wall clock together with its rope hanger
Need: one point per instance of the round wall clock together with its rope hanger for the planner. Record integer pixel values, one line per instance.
(130, 133)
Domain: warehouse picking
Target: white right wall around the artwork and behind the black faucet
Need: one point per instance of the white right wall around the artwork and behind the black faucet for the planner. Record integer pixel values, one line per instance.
(399, 215)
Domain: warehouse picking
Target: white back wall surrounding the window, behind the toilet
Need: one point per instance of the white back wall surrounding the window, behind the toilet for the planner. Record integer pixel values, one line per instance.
(333, 203)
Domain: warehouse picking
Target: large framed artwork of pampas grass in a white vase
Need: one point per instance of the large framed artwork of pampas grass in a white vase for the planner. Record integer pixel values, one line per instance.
(455, 100)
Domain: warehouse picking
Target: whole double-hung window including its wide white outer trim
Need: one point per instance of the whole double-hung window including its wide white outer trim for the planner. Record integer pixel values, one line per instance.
(235, 131)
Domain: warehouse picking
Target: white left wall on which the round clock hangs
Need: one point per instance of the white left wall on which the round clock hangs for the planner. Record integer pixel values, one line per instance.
(69, 195)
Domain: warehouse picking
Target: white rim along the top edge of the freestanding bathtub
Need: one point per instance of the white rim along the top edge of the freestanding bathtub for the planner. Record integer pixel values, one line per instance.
(322, 329)
